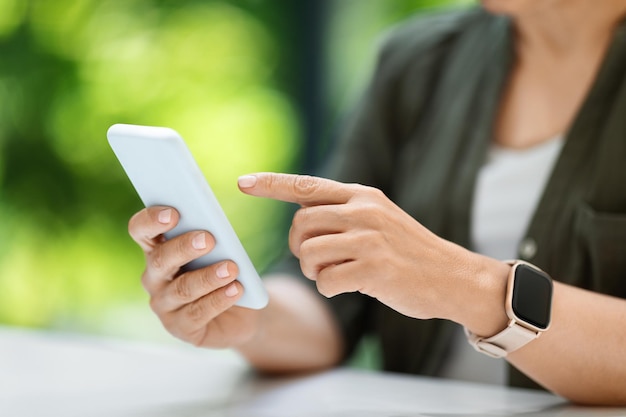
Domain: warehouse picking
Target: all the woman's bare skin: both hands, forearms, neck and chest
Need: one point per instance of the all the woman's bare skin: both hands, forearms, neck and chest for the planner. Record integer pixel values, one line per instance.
(559, 47)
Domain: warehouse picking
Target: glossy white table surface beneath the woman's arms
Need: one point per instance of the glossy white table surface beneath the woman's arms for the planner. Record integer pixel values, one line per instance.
(52, 374)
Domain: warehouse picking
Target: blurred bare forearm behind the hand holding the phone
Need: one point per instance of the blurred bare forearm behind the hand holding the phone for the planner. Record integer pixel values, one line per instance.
(296, 332)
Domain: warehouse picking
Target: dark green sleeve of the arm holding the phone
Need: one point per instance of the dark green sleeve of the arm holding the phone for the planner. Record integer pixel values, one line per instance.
(376, 131)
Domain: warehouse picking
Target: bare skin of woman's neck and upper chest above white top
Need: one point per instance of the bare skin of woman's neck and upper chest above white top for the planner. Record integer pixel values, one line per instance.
(559, 49)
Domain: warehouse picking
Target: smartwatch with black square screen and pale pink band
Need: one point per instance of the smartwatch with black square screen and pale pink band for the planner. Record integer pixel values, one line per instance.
(528, 306)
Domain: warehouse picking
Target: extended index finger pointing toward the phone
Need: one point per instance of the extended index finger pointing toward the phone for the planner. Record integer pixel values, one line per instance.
(305, 190)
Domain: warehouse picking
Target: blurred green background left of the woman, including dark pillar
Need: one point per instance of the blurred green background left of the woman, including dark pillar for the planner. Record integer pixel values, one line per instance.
(251, 85)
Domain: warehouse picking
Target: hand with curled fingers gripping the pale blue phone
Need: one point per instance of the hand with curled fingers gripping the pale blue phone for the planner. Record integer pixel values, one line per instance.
(196, 306)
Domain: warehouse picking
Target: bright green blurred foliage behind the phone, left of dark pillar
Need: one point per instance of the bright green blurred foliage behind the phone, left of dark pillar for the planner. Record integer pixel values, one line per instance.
(70, 69)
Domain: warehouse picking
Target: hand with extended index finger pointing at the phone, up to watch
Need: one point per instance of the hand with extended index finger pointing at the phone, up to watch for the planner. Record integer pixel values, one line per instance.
(350, 238)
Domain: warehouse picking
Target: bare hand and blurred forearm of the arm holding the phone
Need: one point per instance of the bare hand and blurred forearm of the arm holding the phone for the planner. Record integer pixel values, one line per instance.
(294, 332)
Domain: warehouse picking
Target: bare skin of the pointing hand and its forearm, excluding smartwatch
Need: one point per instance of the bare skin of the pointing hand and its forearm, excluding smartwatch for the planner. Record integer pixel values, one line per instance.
(423, 276)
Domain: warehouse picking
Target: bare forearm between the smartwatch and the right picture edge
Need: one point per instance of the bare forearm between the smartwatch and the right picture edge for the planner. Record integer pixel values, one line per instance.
(583, 355)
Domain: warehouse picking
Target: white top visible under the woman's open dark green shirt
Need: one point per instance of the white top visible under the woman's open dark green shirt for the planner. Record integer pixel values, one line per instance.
(508, 189)
